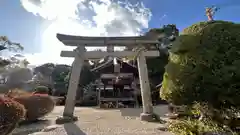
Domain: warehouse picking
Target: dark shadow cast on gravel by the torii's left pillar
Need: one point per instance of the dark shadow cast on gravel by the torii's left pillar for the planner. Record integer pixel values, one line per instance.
(73, 129)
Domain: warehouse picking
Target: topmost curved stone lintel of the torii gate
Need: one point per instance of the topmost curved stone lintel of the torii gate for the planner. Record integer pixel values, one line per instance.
(71, 40)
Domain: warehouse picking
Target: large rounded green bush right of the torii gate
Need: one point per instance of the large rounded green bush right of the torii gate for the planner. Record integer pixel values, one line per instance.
(204, 66)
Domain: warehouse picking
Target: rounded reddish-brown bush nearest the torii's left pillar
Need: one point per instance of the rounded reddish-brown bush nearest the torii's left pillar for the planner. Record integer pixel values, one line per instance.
(37, 106)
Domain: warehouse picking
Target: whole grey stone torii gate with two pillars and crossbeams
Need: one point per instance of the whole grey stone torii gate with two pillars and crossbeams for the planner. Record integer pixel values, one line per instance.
(80, 54)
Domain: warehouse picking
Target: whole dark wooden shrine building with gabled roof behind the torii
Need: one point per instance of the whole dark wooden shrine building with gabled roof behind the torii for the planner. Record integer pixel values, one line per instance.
(117, 86)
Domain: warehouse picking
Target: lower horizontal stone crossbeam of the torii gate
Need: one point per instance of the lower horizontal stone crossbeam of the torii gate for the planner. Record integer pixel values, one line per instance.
(97, 54)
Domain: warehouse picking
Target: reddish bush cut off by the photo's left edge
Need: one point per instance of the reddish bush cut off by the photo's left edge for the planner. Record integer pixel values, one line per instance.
(11, 112)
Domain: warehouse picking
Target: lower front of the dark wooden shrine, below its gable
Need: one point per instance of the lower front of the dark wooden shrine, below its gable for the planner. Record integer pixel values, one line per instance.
(113, 95)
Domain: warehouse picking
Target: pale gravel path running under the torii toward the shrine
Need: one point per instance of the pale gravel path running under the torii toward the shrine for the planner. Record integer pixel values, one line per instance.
(93, 121)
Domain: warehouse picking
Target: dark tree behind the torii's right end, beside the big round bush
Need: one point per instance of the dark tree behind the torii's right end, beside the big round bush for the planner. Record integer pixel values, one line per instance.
(156, 65)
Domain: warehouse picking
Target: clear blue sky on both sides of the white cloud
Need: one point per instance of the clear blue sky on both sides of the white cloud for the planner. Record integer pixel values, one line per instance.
(22, 26)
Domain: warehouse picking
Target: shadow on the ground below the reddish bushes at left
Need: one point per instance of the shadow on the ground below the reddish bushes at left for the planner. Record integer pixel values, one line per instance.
(31, 127)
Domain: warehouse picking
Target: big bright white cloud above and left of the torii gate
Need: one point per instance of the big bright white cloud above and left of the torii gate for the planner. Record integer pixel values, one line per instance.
(86, 18)
